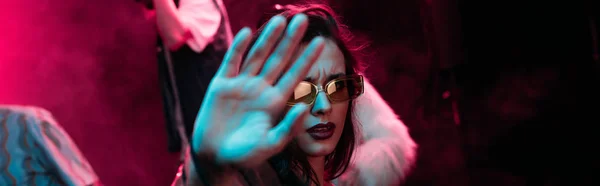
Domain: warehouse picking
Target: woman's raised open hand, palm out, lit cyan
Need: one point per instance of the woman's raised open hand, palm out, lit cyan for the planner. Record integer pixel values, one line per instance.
(238, 120)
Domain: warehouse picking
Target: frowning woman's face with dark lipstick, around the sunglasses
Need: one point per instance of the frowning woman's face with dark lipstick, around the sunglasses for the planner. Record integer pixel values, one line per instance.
(324, 126)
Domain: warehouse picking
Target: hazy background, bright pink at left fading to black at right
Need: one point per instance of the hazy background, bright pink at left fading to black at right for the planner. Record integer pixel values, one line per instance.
(519, 80)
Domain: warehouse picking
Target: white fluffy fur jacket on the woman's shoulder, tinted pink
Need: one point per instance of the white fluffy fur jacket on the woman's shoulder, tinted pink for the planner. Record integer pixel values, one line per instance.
(387, 152)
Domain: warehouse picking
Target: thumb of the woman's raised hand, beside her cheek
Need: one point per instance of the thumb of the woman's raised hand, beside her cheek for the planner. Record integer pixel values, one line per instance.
(281, 134)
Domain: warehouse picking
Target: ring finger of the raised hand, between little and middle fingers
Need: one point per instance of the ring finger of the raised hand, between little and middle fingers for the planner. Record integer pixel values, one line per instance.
(264, 45)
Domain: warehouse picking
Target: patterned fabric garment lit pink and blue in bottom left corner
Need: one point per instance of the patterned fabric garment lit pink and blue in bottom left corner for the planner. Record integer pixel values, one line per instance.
(35, 150)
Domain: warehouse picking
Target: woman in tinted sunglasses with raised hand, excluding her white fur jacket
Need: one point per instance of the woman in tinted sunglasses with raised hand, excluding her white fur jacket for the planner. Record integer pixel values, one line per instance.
(234, 135)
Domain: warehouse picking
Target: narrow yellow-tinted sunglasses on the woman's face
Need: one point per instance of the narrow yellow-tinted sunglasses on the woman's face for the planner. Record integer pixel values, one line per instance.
(337, 90)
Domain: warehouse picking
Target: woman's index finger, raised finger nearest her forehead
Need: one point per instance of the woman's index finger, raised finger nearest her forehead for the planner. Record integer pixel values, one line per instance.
(301, 66)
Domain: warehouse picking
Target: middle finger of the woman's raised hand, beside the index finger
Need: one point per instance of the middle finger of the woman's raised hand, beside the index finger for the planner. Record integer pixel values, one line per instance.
(280, 58)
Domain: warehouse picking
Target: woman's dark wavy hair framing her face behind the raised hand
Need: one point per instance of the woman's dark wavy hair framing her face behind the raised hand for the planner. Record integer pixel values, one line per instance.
(322, 21)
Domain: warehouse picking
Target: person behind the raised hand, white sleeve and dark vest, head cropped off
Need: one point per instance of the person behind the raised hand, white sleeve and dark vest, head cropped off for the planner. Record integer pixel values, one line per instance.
(194, 36)
